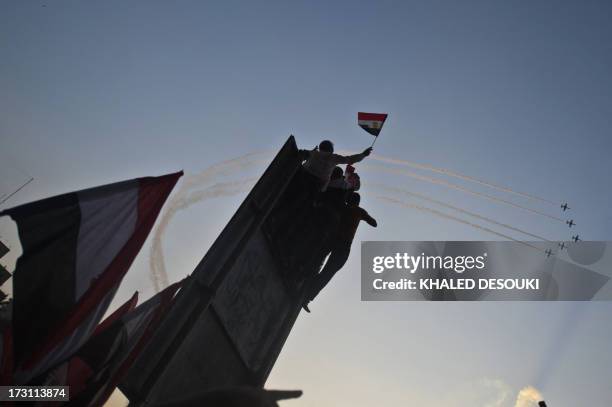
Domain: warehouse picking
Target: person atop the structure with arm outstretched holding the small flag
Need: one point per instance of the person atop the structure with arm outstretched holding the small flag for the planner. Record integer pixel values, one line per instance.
(321, 162)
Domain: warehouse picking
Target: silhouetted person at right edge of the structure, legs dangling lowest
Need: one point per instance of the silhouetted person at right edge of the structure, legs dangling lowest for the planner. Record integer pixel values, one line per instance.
(340, 244)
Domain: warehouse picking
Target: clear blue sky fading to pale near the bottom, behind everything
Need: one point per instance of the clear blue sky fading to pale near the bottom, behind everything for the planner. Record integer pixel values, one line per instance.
(517, 92)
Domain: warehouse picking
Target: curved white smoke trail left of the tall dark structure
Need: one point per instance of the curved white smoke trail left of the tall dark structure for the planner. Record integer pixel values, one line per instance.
(185, 197)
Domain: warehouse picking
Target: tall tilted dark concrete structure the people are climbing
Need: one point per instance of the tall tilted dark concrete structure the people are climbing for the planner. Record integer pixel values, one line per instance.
(231, 319)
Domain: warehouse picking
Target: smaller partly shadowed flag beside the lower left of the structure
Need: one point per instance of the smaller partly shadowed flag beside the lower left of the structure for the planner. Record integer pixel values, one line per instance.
(120, 343)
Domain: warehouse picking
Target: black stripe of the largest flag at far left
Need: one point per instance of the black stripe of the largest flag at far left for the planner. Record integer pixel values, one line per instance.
(44, 285)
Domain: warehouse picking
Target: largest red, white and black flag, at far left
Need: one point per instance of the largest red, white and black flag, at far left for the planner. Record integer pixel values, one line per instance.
(76, 249)
